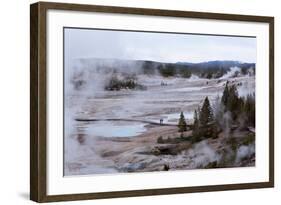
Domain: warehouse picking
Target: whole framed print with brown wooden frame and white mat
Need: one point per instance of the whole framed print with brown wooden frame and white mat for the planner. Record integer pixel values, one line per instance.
(134, 102)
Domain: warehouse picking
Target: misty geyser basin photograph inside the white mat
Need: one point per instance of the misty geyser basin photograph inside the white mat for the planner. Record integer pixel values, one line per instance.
(149, 101)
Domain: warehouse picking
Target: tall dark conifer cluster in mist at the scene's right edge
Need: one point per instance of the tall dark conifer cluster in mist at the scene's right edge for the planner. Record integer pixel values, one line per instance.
(229, 111)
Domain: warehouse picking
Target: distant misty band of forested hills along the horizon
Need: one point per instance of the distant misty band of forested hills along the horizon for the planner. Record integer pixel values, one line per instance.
(122, 74)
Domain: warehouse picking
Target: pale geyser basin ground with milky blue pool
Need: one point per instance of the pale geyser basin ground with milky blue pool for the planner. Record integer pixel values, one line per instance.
(126, 146)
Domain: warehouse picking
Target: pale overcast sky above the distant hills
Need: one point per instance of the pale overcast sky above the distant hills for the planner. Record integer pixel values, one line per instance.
(88, 43)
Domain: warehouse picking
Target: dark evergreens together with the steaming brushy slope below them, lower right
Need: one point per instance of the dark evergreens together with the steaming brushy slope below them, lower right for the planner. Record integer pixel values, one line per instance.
(224, 128)
